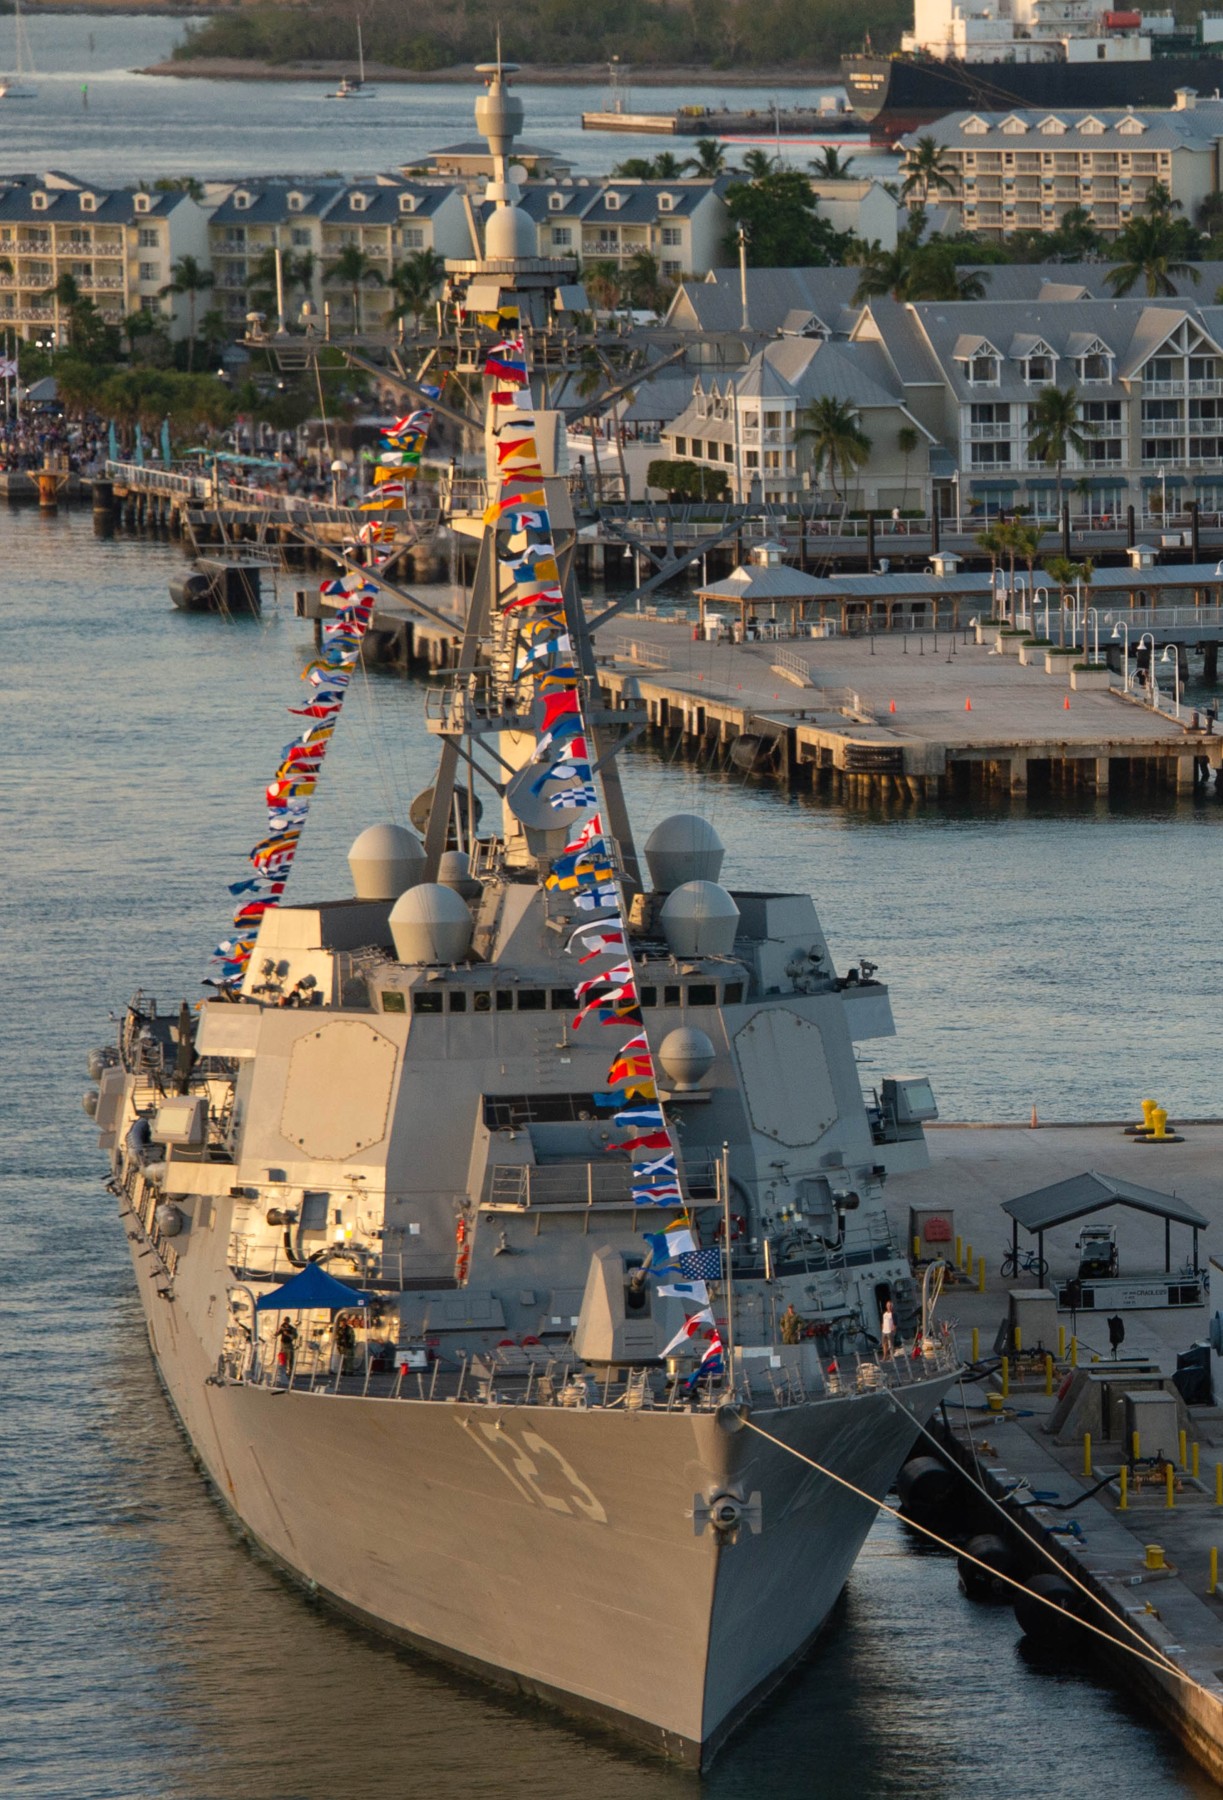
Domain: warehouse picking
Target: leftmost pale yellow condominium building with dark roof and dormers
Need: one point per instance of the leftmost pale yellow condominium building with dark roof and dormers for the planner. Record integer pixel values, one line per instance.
(120, 246)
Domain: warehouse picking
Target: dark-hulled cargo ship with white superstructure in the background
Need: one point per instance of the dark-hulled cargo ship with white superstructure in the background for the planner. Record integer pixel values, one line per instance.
(1029, 53)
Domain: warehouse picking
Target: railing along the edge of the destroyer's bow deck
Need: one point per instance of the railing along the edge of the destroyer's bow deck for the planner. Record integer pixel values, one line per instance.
(520, 1376)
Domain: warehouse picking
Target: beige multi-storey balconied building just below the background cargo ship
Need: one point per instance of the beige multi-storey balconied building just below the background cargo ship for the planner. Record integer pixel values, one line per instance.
(1022, 170)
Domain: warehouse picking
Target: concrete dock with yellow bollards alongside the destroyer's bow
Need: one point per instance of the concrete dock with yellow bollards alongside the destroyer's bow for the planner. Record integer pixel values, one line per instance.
(974, 1171)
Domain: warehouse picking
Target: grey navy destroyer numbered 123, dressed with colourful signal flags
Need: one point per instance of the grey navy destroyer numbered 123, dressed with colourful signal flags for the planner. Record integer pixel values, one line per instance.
(511, 1227)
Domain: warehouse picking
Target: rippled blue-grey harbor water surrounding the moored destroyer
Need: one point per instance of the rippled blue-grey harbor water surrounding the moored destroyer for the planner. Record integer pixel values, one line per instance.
(1064, 958)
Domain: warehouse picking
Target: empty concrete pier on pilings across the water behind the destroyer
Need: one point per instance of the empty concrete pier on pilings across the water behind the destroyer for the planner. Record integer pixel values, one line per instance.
(905, 715)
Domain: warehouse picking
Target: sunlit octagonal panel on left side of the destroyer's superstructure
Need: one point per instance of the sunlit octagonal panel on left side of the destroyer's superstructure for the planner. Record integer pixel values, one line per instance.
(340, 1090)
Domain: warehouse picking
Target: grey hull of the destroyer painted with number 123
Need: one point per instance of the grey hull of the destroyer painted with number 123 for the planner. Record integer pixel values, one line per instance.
(552, 1551)
